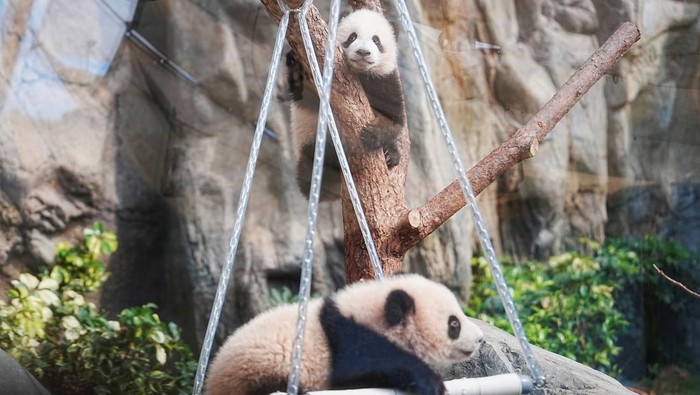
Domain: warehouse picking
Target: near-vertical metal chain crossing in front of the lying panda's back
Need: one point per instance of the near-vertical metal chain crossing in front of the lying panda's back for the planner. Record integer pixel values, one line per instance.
(316, 173)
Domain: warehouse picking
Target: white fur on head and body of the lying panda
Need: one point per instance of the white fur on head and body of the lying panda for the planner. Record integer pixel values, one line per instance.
(262, 348)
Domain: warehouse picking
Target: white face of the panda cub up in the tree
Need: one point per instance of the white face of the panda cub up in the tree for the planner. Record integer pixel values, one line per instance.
(369, 42)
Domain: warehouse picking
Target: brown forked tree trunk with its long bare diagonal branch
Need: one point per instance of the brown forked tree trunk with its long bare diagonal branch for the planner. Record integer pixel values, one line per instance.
(396, 228)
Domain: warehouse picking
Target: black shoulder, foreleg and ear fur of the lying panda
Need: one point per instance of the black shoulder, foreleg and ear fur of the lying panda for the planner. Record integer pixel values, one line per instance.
(362, 358)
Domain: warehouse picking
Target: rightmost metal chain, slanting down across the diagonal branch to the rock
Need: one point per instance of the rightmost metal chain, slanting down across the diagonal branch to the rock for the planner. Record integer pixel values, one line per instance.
(496, 270)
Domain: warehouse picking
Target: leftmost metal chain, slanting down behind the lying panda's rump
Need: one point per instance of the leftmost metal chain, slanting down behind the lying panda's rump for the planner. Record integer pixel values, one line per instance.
(215, 314)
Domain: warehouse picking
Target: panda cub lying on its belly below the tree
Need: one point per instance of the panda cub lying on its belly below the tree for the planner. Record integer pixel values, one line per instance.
(388, 333)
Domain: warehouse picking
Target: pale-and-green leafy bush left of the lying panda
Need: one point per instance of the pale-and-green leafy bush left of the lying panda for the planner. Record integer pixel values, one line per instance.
(72, 347)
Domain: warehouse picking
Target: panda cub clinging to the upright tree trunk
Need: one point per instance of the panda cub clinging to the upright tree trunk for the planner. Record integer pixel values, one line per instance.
(370, 50)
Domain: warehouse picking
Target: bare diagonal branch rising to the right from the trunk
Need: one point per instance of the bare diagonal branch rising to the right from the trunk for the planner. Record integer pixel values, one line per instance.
(420, 222)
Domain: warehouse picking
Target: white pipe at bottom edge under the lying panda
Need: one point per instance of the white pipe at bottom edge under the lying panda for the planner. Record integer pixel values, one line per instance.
(502, 384)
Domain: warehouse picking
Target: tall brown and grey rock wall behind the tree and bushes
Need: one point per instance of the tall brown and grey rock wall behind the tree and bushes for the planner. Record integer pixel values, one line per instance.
(95, 126)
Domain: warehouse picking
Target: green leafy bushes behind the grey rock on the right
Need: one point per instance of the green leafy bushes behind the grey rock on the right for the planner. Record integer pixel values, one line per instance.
(568, 305)
